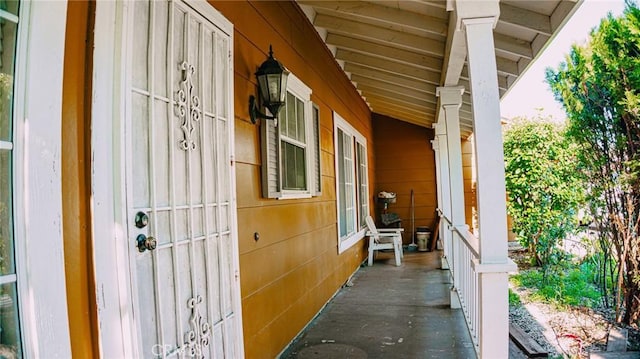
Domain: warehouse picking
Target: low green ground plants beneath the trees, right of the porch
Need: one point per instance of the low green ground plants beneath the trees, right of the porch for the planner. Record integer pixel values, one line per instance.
(571, 287)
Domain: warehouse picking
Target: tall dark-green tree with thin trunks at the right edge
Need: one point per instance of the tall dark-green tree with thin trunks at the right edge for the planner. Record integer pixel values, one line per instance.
(599, 85)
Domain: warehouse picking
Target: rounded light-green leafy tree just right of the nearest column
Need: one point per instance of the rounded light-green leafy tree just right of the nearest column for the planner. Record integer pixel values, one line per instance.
(543, 186)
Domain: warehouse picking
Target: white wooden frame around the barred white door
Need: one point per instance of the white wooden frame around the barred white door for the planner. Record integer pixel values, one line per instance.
(116, 322)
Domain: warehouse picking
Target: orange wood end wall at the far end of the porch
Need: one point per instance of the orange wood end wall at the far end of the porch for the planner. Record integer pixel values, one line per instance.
(405, 161)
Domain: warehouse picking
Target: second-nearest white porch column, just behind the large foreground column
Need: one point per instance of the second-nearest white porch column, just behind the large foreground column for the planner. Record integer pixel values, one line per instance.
(450, 100)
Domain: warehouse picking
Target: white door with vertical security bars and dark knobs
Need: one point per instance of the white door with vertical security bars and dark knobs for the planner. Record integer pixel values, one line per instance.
(180, 207)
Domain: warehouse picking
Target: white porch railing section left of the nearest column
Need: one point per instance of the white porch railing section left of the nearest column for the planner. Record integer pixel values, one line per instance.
(461, 250)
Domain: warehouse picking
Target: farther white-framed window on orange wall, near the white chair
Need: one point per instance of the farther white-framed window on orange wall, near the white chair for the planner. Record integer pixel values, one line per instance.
(352, 182)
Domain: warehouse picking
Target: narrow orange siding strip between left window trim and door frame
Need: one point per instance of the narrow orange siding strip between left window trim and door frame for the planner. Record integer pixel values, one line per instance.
(76, 180)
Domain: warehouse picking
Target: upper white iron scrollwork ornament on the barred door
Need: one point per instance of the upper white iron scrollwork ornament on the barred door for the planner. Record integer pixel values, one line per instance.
(188, 106)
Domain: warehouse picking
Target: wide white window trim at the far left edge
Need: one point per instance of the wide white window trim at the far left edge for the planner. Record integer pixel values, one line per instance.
(37, 179)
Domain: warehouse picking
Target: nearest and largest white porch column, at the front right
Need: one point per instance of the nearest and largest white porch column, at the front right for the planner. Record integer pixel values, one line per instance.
(493, 263)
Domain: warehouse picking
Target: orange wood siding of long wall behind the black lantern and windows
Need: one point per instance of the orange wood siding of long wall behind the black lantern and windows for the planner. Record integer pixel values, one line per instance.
(294, 268)
